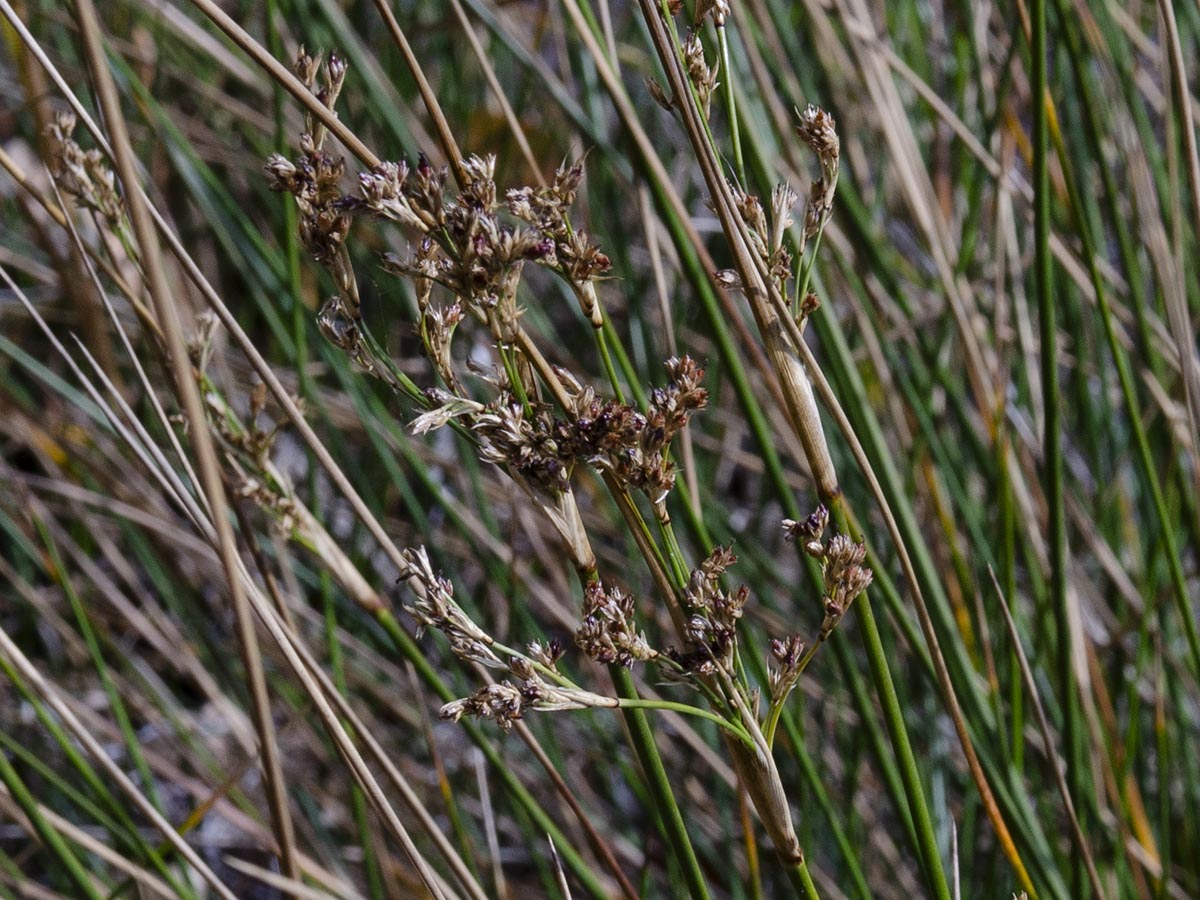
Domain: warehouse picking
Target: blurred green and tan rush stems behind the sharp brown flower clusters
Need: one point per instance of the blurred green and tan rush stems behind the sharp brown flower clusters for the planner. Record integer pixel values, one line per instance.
(123, 652)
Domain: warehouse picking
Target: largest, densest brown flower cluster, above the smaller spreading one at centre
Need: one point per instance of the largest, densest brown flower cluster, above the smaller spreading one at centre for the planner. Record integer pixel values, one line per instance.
(470, 245)
